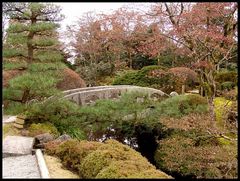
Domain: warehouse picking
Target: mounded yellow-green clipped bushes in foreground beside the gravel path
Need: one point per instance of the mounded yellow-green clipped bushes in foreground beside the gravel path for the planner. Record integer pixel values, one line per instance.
(102, 160)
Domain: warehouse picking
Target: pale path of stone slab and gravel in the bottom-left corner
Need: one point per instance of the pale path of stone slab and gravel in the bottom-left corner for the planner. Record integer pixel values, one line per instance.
(18, 161)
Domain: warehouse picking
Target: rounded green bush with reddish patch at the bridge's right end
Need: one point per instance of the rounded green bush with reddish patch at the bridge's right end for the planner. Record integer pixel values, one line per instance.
(181, 105)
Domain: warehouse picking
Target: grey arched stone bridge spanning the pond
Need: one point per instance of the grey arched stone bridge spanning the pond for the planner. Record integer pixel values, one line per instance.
(88, 95)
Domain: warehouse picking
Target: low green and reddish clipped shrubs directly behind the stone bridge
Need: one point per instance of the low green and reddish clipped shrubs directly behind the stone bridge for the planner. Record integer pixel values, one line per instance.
(159, 77)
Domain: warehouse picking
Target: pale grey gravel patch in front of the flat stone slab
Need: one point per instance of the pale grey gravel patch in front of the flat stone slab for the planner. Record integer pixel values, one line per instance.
(20, 167)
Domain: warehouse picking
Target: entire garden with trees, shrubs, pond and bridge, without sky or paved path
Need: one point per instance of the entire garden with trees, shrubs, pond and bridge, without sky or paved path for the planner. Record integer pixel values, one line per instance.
(150, 92)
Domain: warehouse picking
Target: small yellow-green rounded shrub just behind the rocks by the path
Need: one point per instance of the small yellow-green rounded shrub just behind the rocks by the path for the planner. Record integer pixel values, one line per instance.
(40, 128)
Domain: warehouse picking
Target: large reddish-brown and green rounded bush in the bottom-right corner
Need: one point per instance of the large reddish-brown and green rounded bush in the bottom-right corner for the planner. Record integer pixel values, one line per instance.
(196, 156)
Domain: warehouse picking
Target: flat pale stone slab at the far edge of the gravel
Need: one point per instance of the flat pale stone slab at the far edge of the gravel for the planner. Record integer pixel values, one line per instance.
(17, 145)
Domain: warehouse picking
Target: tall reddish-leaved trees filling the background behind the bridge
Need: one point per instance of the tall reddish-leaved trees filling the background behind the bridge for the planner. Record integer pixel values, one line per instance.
(200, 36)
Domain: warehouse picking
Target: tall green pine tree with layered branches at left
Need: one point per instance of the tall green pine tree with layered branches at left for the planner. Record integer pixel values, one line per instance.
(32, 39)
